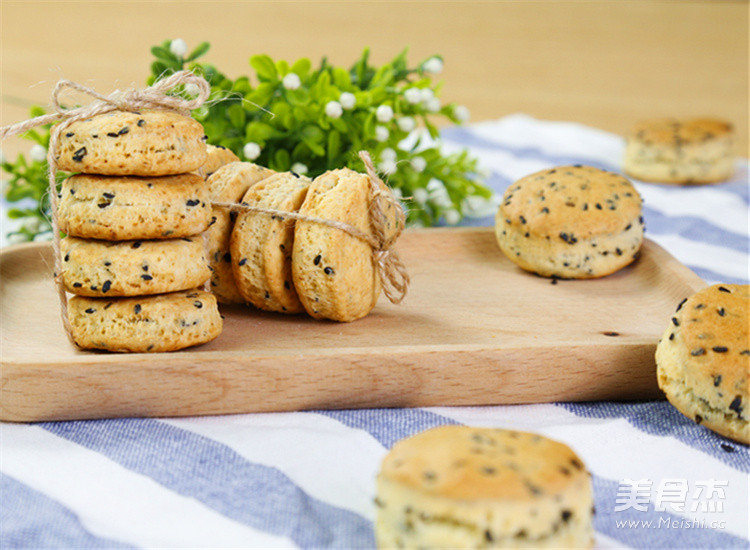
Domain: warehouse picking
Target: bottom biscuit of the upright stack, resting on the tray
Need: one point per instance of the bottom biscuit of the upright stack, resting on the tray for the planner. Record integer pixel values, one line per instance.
(164, 322)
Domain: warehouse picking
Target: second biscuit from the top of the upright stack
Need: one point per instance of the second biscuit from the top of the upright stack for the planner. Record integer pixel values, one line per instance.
(118, 208)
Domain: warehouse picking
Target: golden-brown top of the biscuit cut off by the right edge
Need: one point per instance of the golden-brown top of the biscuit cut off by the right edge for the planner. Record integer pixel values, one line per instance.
(714, 327)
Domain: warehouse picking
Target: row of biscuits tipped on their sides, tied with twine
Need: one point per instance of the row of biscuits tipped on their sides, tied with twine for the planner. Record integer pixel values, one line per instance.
(265, 259)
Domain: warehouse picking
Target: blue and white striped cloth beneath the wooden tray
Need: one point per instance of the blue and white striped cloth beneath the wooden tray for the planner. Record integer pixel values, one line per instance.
(307, 479)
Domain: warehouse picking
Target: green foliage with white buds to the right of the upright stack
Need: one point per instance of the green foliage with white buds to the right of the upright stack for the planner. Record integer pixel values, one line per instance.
(299, 120)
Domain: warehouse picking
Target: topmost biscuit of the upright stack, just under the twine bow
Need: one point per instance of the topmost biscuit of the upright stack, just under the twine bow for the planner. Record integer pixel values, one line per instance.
(149, 143)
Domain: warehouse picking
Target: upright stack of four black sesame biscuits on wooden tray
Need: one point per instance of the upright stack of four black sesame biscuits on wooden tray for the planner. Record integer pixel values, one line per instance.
(134, 215)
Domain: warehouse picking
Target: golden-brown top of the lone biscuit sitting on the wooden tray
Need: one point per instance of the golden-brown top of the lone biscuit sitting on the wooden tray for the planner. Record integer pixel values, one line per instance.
(571, 202)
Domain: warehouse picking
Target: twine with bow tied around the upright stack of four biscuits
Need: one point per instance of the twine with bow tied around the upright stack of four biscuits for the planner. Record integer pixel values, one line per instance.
(133, 100)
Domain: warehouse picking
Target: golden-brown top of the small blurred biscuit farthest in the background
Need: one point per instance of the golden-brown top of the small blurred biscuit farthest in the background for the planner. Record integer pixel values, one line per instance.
(670, 131)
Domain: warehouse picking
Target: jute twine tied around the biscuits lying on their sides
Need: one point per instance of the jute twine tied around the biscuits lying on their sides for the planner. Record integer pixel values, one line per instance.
(391, 270)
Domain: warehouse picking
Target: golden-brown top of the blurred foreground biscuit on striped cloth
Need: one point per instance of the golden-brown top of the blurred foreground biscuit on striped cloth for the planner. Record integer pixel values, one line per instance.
(464, 463)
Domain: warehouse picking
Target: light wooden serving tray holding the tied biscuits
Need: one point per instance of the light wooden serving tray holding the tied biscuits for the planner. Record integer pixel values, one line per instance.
(473, 330)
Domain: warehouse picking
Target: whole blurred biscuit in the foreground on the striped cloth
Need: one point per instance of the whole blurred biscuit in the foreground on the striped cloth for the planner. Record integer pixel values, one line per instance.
(463, 487)
